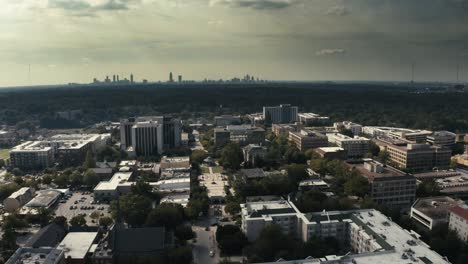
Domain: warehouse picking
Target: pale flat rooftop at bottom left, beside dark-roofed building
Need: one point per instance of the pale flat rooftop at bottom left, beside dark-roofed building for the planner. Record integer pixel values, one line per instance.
(77, 244)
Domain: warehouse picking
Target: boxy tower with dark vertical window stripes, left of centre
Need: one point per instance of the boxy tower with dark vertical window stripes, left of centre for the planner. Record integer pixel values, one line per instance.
(147, 138)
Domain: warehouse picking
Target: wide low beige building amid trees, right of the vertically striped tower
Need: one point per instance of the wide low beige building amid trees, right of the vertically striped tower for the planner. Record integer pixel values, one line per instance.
(242, 134)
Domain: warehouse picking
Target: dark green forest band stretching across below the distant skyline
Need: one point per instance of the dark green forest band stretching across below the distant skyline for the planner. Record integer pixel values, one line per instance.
(364, 103)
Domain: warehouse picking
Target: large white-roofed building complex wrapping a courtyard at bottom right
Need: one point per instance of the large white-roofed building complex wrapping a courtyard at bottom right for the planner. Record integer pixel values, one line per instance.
(370, 236)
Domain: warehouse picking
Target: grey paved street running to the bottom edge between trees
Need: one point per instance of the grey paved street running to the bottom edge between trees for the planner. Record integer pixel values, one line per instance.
(206, 242)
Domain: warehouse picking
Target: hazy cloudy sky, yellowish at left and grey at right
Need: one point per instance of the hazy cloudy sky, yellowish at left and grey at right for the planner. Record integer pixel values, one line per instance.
(77, 40)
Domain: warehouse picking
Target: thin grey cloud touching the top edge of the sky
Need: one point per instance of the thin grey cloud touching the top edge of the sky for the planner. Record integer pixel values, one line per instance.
(255, 4)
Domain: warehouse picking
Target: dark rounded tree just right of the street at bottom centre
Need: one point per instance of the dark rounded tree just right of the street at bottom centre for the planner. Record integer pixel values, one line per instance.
(230, 239)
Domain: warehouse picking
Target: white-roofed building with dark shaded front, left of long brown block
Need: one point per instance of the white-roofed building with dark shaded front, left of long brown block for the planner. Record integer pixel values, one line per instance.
(355, 147)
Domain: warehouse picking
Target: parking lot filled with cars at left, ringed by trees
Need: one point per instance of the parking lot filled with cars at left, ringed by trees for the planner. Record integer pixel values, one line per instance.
(81, 203)
